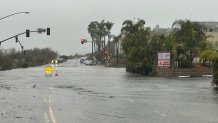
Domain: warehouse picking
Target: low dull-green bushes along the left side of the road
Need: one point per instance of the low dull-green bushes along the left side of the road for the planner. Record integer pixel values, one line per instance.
(12, 58)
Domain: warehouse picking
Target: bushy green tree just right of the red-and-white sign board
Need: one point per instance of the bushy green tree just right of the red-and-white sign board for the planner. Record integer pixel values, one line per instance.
(190, 37)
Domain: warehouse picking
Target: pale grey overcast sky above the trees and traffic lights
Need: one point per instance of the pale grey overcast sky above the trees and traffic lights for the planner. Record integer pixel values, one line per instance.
(68, 19)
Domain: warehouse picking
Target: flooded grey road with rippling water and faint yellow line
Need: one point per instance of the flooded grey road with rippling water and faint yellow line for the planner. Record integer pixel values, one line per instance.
(96, 94)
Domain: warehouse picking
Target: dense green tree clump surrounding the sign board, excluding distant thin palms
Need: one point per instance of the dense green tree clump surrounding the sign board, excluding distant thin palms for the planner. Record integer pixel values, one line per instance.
(185, 41)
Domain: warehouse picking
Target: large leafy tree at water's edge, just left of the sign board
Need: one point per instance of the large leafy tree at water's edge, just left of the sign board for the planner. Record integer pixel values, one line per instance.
(140, 47)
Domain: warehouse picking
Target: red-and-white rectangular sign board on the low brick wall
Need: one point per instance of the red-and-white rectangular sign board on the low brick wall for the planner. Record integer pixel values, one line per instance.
(164, 59)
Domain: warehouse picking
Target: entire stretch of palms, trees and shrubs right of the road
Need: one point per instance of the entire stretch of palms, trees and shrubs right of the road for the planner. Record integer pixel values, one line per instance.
(186, 41)
